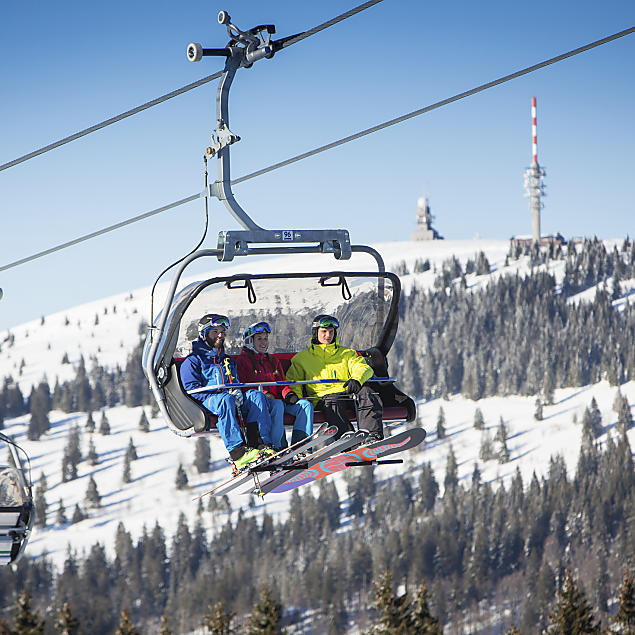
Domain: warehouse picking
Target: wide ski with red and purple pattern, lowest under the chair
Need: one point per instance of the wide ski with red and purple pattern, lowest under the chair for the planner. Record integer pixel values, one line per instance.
(362, 456)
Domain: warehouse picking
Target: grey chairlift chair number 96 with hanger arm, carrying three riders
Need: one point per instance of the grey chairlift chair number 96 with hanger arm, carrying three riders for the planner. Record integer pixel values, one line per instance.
(351, 295)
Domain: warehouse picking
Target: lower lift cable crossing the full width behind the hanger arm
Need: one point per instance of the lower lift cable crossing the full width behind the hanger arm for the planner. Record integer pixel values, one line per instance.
(333, 144)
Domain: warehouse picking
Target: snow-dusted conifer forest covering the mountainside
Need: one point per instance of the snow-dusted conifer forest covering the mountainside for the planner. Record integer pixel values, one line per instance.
(413, 553)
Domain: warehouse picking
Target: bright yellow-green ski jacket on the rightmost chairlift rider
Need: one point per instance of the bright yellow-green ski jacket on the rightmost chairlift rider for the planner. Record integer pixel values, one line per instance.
(330, 361)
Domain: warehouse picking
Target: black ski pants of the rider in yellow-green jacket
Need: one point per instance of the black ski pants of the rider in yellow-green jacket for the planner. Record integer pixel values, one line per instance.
(337, 406)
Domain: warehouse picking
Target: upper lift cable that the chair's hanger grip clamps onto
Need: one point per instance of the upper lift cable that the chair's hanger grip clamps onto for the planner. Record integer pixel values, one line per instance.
(281, 44)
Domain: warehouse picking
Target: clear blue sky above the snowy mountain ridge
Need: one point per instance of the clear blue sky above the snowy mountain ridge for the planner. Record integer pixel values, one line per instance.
(65, 66)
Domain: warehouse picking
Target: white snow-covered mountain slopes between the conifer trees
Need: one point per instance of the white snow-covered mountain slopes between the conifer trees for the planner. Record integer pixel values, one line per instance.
(108, 330)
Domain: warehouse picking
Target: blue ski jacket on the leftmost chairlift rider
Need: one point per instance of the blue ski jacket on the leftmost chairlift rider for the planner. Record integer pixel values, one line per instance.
(207, 366)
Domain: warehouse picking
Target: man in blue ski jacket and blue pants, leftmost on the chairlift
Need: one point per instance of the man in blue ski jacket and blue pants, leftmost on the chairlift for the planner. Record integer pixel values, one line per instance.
(209, 365)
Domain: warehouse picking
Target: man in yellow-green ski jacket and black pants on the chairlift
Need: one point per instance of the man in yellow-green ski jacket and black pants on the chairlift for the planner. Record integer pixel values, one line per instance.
(326, 359)
